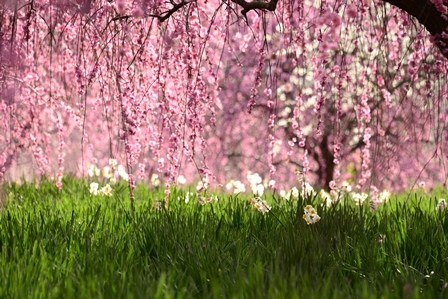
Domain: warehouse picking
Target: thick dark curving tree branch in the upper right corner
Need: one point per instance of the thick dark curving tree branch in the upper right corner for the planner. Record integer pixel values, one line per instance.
(425, 11)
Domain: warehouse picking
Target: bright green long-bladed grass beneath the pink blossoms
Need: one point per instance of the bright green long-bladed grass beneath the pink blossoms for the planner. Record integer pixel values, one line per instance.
(70, 244)
